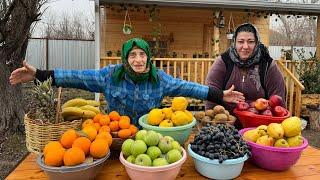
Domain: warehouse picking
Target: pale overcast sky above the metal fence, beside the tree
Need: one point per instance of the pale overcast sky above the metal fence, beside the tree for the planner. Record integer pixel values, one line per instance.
(59, 7)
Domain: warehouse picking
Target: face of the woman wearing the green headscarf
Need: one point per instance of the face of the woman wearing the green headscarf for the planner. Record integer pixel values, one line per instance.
(137, 59)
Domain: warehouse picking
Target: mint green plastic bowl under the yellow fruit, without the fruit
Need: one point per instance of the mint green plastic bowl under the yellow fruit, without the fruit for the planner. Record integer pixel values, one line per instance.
(178, 133)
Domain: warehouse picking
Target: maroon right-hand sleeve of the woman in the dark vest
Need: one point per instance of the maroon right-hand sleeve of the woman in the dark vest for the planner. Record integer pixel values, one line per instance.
(275, 81)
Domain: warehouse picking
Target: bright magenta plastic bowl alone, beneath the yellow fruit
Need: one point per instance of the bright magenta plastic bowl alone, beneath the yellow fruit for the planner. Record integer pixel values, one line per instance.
(274, 158)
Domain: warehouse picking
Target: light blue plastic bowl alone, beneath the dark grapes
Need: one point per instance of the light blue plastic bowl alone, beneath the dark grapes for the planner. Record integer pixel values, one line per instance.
(228, 169)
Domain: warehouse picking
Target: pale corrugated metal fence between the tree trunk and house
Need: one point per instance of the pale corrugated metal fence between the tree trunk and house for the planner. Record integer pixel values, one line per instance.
(67, 54)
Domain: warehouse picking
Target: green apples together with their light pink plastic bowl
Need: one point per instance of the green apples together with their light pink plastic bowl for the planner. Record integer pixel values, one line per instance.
(152, 155)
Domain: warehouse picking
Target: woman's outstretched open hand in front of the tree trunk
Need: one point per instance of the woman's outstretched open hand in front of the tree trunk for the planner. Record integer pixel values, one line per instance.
(22, 75)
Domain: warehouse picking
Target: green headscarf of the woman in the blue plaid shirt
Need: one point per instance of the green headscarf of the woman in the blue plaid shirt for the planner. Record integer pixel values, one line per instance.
(118, 75)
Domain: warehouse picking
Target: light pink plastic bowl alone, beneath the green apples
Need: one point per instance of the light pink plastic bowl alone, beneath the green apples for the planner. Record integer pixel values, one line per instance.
(155, 173)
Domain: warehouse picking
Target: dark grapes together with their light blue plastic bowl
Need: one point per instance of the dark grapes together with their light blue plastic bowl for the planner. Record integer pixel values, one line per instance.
(219, 151)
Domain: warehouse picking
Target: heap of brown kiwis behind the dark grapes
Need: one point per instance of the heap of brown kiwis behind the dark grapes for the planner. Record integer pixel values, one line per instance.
(218, 114)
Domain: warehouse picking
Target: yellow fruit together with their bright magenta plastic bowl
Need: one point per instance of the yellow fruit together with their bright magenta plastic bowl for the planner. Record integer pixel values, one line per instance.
(276, 147)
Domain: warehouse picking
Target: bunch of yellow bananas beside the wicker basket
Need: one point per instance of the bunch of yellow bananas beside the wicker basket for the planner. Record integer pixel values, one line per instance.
(79, 109)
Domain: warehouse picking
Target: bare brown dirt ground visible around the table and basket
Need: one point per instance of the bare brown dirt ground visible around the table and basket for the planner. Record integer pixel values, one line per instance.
(13, 150)
